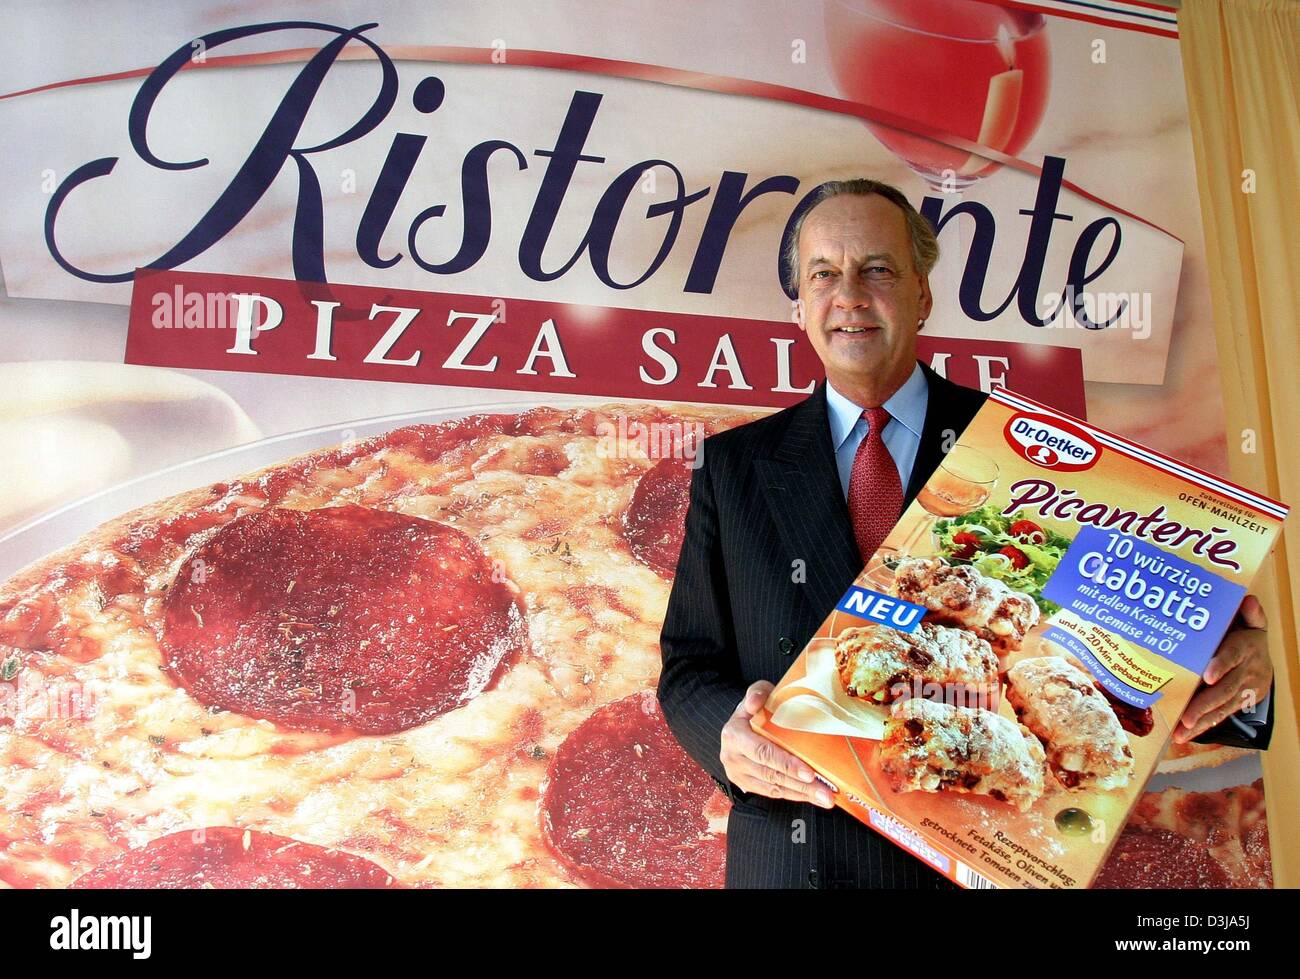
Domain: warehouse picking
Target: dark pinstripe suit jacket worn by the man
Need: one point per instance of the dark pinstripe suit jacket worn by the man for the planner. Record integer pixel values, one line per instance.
(769, 496)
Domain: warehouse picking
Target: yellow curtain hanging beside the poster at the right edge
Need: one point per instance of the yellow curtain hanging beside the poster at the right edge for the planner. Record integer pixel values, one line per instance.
(1242, 67)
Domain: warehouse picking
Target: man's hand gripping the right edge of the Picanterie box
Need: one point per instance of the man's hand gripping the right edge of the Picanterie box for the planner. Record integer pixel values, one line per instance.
(1238, 677)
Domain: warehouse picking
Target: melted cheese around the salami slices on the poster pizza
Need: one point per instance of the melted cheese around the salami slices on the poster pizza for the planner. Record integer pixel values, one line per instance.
(449, 803)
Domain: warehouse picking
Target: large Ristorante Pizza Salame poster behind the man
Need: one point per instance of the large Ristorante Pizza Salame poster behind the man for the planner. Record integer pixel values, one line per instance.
(358, 356)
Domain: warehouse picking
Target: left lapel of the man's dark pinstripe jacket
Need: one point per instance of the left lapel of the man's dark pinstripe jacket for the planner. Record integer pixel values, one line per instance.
(801, 487)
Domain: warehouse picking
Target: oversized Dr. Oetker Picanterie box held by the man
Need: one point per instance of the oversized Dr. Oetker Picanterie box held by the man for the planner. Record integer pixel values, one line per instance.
(999, 683)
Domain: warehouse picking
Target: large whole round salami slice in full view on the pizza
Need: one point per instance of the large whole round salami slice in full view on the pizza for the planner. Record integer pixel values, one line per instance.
(341, 618)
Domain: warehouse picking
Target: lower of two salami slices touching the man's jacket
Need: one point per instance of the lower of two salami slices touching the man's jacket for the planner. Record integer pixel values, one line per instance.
(625, 805)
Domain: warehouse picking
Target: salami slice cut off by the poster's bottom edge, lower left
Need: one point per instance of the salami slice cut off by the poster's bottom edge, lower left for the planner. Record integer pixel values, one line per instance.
(232, 857)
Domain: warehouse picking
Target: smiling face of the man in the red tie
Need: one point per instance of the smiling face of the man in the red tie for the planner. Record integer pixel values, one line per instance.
(861, 297)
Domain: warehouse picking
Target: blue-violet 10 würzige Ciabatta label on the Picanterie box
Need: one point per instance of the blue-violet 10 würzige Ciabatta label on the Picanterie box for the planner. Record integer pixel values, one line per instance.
(1146, 595)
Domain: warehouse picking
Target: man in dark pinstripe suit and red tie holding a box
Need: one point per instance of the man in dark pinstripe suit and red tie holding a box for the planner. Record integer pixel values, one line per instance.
(786, 510)
